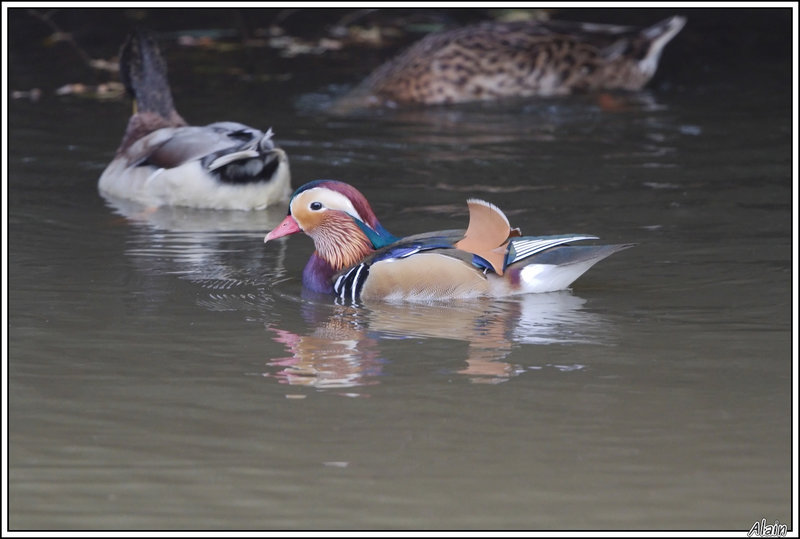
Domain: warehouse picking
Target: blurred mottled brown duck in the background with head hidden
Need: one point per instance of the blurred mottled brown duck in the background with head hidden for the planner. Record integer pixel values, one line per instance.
(516, 59)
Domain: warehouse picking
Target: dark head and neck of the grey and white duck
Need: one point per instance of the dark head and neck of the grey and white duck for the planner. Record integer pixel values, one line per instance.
(144, 74)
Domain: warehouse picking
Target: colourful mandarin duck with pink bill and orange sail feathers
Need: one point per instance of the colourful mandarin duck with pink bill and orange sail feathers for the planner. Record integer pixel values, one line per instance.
(356, 258)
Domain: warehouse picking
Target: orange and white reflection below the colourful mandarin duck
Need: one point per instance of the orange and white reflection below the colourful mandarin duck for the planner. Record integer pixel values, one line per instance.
(343, 346)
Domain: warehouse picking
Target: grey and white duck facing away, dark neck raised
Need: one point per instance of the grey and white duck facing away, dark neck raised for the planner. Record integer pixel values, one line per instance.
(164, 161)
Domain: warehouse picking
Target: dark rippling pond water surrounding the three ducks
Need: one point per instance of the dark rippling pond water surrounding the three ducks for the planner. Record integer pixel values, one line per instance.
(165, 370)
